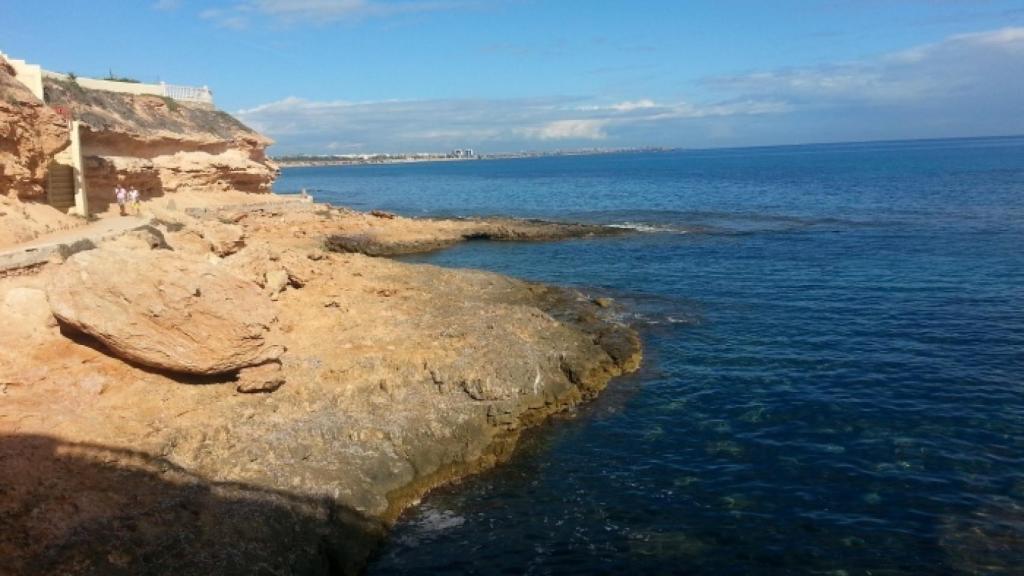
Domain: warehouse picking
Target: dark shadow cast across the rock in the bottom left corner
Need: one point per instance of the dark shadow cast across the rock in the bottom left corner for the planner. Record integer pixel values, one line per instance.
(82, 509)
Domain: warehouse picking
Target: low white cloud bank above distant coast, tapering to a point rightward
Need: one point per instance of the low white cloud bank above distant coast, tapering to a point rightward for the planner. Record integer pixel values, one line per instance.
(499, 125)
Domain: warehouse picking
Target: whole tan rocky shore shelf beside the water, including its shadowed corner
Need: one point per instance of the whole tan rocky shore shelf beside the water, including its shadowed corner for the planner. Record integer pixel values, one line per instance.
(248, 390)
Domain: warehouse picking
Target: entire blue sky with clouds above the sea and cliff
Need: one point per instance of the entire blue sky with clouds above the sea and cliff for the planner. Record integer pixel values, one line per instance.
(395, 76)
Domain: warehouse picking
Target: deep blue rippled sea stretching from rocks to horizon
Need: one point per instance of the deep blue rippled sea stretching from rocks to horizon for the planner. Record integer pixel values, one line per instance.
(835, 362)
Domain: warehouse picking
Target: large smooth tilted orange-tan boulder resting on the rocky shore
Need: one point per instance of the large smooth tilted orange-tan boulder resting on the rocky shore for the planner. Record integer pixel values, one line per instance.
(163, 311)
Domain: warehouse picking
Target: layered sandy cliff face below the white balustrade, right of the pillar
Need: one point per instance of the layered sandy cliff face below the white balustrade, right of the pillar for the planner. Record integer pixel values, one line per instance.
(162, 146)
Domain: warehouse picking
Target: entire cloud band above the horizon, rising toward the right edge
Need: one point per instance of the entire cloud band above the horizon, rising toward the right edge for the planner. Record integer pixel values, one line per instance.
(965, 86)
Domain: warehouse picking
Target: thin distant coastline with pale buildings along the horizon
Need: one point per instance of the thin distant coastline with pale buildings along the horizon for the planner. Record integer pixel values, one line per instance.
(298, 161)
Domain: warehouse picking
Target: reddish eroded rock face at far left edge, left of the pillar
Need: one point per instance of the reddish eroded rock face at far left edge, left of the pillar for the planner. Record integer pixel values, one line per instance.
(30, 135)
